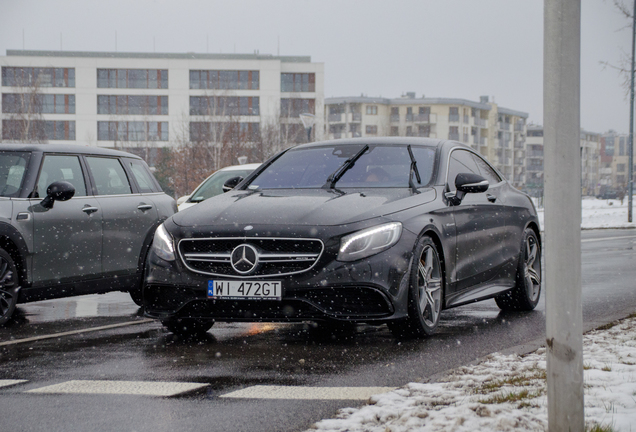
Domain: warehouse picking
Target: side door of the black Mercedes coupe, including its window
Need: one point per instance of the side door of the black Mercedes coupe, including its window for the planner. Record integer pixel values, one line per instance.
(480, 227)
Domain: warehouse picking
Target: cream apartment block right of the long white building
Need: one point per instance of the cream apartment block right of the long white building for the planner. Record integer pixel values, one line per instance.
(496, 132)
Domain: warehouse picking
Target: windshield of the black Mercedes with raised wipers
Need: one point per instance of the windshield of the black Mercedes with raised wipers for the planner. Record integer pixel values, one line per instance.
(380, 166)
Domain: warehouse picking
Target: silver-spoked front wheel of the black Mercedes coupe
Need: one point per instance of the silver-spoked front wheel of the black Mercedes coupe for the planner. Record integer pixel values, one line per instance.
(426, 293)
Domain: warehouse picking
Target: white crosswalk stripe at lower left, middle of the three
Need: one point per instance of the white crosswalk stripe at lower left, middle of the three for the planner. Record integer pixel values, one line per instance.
(143, 388)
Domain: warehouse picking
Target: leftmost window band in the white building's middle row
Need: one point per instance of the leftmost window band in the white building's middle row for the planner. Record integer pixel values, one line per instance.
(19, 103)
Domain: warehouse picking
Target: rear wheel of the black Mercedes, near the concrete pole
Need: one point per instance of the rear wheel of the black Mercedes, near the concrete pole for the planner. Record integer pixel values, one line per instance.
(525, 295)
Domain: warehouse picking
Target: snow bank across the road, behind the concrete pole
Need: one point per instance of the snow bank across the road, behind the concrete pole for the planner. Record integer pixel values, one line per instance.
(596, 213)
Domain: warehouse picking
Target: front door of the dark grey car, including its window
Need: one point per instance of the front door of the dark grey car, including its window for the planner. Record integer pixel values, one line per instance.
(67, 238)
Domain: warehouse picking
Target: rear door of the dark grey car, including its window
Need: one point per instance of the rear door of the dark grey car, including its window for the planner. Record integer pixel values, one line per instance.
(127, 215)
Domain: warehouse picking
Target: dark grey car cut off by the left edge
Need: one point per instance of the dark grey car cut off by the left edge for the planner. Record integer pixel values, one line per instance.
(74, 220)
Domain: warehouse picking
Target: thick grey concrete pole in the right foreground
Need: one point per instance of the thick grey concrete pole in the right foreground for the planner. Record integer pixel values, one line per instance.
(564, 318)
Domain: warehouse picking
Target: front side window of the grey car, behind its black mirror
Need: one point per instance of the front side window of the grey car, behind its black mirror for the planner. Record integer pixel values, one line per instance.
(58, 168)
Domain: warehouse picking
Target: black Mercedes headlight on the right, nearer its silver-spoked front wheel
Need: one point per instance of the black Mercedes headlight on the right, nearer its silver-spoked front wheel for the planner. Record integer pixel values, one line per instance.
(369, 241)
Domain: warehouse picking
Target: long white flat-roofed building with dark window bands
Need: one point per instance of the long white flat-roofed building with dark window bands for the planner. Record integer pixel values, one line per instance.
(116, 99)
